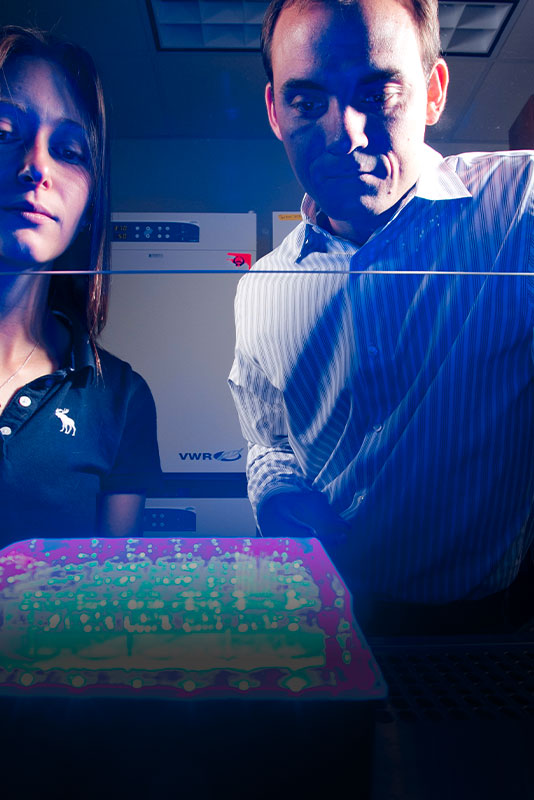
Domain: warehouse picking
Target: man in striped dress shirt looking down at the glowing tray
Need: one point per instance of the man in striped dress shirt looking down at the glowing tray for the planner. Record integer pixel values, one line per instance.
(392, 415)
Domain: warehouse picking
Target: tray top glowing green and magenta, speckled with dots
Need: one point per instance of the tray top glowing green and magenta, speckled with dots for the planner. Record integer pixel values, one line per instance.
(202, 618)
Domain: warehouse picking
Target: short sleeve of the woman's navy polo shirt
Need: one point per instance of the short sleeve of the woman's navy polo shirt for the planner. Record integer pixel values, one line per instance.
(136, 468)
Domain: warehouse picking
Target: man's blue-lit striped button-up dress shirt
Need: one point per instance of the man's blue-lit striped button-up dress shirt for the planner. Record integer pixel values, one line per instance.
(408, 399)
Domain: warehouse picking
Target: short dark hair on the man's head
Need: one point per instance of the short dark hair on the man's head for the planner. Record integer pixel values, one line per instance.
(424, 12)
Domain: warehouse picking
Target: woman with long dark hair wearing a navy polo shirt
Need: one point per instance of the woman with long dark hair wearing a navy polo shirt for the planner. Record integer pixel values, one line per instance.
(78, 442)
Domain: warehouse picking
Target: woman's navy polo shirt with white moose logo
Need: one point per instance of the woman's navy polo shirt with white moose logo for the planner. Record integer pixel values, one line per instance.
(51, 471)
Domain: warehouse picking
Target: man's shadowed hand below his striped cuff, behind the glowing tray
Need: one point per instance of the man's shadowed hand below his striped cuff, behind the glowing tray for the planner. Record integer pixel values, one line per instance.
(295, 514)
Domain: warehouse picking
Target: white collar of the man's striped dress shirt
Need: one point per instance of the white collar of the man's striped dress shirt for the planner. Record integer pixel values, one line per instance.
(437, 181)
